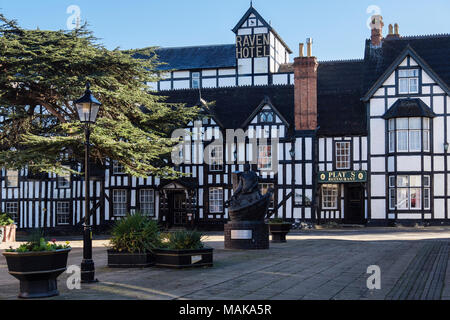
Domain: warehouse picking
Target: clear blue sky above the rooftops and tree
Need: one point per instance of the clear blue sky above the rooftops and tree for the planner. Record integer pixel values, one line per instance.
(338, 27)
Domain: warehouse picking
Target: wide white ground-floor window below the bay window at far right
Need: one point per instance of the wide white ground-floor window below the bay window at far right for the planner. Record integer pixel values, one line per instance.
(409, 192)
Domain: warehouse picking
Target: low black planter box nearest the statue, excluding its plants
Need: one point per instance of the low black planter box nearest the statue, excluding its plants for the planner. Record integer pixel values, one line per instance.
(179, 259)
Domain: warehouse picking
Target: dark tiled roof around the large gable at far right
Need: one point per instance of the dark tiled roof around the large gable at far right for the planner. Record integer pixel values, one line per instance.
(432, 53)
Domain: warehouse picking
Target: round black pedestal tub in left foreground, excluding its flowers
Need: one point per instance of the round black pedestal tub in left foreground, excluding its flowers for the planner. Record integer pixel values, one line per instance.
(37, 271)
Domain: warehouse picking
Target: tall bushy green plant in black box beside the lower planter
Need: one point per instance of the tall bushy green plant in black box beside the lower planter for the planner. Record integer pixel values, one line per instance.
(132, 242)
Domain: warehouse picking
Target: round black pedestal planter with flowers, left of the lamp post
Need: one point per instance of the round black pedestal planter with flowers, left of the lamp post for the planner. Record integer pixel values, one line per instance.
(36, 265)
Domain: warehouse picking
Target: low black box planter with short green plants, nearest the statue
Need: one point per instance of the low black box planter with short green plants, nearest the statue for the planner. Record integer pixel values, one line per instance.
(183, 249)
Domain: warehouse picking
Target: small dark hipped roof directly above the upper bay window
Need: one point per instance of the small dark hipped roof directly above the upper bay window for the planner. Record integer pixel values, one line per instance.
(409, 108)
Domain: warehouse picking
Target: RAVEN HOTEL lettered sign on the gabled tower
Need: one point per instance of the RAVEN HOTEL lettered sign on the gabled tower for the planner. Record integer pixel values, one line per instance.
(252, 46)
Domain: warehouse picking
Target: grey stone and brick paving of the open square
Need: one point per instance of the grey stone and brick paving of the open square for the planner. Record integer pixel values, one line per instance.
(313, 265)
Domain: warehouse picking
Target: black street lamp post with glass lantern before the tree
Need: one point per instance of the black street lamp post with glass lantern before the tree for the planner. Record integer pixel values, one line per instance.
(87, 107)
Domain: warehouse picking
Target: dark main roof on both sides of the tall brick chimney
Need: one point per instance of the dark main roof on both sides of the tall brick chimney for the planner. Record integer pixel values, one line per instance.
(340, 109)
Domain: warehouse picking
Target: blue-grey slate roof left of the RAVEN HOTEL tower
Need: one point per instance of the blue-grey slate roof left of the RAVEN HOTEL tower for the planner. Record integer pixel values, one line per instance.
(198, 57)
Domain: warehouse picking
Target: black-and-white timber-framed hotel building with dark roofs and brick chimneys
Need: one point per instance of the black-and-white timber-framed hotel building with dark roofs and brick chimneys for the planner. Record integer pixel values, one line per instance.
(358, 141)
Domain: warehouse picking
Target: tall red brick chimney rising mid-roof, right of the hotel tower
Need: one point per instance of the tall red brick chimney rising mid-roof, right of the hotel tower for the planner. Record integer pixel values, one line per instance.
(305, 91)
